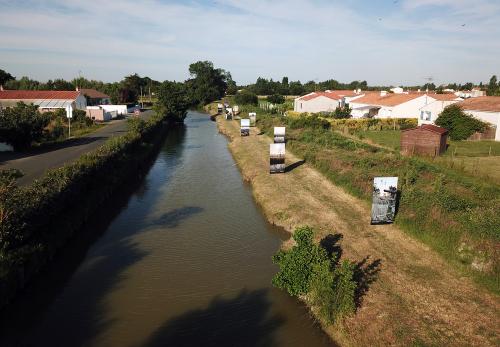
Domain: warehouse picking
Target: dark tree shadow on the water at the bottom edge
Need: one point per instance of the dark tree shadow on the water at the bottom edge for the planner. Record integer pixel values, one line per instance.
(241, 321)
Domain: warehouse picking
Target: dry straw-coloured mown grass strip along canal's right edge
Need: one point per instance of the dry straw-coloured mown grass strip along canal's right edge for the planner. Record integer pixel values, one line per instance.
(417, 298)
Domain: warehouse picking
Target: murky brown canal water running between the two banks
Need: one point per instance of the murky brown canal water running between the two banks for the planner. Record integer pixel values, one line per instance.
(185, 260)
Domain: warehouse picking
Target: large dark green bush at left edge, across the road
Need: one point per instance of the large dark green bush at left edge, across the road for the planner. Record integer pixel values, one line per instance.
(21, 125)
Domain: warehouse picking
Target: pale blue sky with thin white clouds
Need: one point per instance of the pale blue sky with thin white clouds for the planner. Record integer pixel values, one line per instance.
(385, 42)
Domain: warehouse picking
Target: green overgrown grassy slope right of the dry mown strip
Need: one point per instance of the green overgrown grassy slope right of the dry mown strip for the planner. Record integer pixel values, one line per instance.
(454, 213)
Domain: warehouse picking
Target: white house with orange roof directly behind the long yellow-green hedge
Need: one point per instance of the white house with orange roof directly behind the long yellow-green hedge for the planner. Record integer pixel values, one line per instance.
(389, 105)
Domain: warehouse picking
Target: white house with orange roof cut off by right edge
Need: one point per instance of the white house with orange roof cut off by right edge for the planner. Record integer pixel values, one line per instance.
(485, 108)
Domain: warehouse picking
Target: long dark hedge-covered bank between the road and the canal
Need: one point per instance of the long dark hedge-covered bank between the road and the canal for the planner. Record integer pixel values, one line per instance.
(37, 220)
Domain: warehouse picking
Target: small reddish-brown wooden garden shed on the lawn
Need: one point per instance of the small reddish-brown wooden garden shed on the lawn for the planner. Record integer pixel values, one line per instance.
(426, 139)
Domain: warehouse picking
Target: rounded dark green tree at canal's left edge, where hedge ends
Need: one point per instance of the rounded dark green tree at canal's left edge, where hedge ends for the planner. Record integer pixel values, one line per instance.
(172, 101)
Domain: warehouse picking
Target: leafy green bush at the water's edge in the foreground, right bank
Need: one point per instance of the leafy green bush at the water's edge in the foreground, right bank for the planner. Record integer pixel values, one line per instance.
(307, 269)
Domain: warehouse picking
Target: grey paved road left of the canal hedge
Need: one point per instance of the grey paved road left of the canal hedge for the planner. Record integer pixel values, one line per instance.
(34, 164)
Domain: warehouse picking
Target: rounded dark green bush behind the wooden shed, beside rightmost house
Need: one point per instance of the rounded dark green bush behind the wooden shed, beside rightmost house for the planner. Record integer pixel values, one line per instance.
(459, 124)
